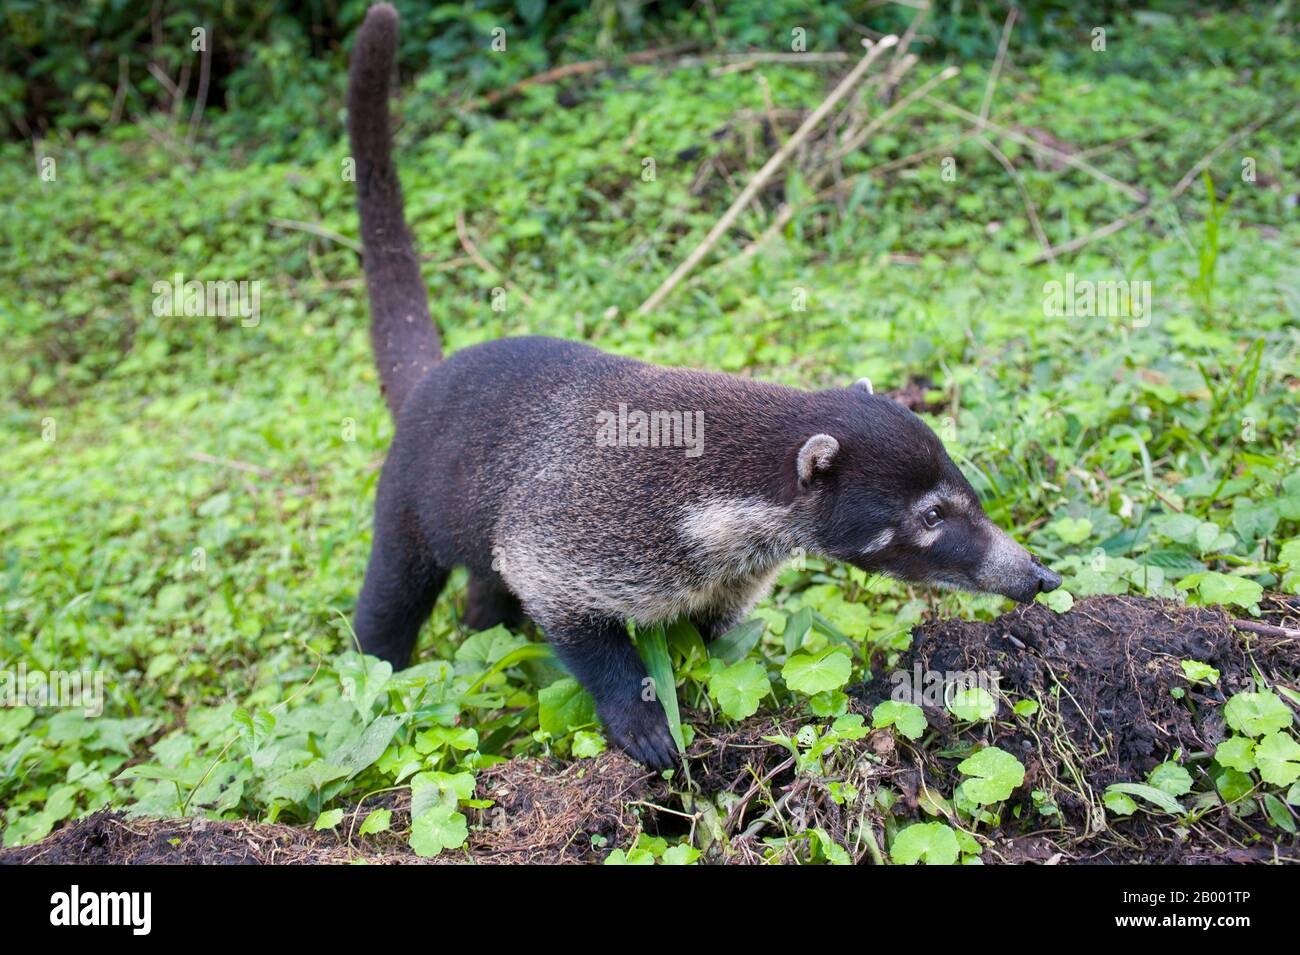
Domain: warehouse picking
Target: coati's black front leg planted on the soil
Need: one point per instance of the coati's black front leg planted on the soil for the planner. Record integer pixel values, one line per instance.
(600, 654)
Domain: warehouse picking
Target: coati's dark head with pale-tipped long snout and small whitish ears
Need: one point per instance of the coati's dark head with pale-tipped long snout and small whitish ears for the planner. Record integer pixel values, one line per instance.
(891, 501)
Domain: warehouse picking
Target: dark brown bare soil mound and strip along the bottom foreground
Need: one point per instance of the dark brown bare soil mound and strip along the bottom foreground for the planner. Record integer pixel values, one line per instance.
(1113, 705)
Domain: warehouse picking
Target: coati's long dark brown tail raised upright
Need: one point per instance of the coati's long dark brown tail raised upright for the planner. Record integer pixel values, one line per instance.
(405, 338)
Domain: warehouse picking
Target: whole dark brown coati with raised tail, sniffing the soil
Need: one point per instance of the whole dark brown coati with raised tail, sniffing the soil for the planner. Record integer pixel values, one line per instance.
(518, 461)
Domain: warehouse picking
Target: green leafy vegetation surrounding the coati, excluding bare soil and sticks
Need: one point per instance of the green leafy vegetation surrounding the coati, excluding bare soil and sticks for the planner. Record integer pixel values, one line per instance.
(216, 597)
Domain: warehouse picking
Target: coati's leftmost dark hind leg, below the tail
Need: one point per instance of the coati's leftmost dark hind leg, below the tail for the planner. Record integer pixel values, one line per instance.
(401, 587)
